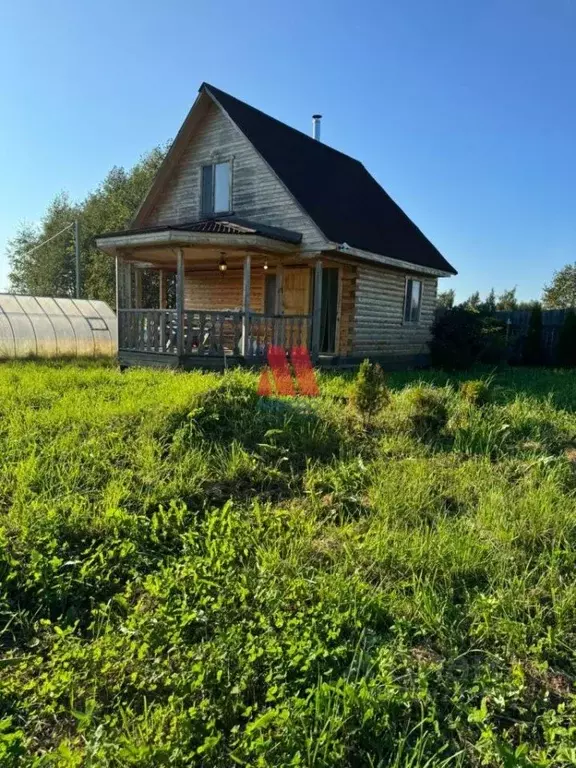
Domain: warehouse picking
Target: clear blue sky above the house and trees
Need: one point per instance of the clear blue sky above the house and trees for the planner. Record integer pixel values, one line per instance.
(463, 110)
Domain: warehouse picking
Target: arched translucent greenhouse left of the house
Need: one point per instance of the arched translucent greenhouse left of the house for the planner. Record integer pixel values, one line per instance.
(39, 326)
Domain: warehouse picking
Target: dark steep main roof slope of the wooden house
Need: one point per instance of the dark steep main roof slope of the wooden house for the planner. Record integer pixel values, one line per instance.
(336, 191)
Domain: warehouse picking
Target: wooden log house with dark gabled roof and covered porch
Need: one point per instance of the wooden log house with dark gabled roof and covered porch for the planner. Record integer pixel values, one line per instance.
(254, 233)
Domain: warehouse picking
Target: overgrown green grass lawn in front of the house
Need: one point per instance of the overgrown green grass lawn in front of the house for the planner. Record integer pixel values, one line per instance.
(191, 575)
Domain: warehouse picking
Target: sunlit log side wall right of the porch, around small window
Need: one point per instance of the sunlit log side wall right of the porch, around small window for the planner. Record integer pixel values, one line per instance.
(379, 312)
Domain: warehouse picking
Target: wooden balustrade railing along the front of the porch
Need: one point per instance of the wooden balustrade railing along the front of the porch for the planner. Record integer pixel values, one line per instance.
(209, 333)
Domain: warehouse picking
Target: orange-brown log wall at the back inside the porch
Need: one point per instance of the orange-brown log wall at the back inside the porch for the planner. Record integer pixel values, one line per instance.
(211, 291)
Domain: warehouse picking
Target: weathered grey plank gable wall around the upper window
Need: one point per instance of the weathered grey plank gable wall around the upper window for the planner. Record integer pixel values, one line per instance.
(257, 194)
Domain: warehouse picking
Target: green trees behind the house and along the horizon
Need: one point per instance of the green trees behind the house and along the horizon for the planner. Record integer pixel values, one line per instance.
(50, 270)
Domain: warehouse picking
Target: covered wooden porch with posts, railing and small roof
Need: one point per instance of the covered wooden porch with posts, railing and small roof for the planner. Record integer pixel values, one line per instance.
(217, 302)
